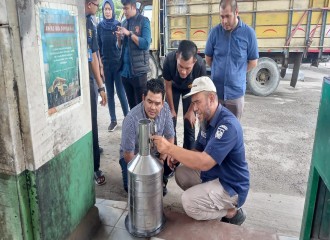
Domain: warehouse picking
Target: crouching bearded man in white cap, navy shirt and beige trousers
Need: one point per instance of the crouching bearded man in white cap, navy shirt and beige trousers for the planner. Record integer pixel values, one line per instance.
(214, 177)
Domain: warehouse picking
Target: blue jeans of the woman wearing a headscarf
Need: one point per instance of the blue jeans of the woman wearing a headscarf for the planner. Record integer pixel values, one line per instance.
(113, 77)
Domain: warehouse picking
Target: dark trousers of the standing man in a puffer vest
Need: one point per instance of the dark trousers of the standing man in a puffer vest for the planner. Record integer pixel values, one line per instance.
(134, 88)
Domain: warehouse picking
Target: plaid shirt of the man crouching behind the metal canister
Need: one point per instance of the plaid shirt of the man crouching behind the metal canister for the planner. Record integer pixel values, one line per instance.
(130, 129)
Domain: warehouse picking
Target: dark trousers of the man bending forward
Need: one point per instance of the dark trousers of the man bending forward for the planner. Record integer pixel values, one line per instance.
(189, 132)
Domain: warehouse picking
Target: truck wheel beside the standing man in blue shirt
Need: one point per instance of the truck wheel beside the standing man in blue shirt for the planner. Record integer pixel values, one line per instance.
(264, 78)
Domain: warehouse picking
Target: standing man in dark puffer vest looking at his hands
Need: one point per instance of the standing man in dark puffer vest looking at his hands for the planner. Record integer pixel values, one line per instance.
(134, 38)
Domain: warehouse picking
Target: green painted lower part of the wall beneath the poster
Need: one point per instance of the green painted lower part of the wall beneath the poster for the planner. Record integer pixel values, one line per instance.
(53, 199)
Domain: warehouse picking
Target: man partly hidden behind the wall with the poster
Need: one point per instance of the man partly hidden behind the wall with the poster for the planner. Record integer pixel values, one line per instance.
(91, 7)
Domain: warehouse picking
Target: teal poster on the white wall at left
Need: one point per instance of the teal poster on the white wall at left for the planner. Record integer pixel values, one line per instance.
(59, 37)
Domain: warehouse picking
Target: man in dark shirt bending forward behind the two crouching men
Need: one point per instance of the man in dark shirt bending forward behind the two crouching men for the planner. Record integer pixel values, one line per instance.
(180, 68)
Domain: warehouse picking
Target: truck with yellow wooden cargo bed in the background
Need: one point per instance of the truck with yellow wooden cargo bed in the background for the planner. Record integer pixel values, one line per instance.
(289, 32)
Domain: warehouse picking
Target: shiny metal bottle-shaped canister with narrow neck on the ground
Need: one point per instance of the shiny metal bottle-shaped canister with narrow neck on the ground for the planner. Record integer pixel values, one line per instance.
(145, 189)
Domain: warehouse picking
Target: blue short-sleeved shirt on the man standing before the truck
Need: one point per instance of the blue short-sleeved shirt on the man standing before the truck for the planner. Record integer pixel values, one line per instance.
(231, 51)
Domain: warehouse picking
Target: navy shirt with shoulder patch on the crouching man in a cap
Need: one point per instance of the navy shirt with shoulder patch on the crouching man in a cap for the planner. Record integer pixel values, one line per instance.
(223, 141)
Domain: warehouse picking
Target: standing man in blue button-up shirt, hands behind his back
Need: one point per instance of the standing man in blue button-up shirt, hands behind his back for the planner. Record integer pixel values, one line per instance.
(231, 51)
